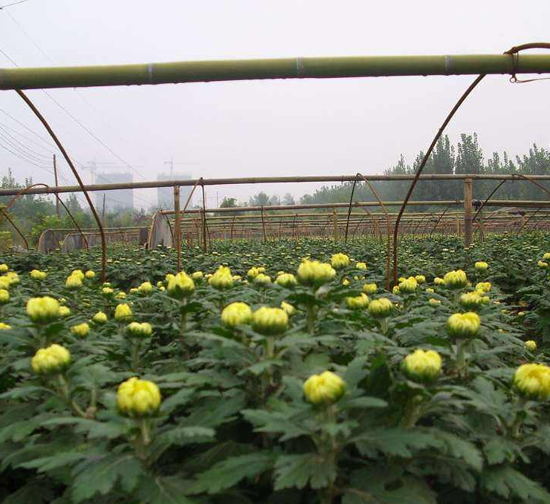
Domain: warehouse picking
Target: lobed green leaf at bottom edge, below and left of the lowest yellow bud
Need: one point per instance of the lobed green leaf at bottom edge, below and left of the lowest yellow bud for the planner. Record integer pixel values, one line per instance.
(99, 476)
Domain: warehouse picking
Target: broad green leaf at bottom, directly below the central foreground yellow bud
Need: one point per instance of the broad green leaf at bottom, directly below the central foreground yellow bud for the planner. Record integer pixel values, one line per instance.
(299, 470)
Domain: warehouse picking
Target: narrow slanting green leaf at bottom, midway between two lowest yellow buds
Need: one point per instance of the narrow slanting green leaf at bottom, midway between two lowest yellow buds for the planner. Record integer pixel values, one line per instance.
(228, 473)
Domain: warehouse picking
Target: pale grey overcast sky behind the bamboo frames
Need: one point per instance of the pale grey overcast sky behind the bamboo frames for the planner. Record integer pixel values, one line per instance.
(261, 128)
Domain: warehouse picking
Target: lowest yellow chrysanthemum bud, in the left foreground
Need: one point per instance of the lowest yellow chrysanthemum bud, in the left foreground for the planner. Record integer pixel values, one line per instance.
(138, 398)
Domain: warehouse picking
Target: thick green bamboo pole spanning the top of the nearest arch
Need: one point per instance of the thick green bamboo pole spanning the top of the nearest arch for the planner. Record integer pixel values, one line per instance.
(260, 69)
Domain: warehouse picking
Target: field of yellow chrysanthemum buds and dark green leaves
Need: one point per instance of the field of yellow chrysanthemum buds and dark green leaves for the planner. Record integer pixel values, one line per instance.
(279, 373)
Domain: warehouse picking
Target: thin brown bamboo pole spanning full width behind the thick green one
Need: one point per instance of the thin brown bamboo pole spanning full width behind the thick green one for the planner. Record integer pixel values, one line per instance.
(263, 180)
